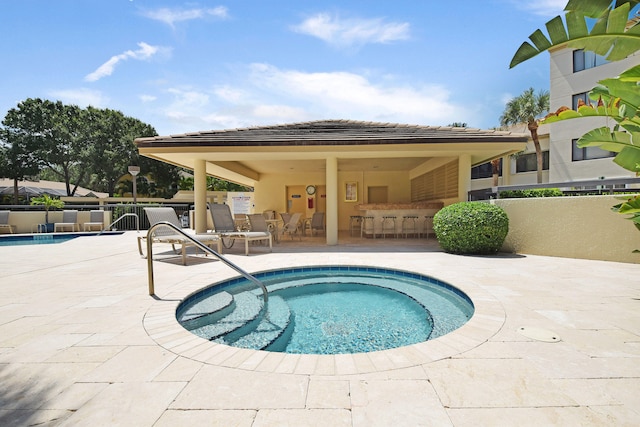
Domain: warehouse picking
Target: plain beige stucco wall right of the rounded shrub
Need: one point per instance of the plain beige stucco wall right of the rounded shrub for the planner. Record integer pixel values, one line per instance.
(573, 227)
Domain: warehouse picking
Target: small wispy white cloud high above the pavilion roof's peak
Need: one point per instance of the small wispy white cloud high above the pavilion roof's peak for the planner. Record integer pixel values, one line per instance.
(350, 32)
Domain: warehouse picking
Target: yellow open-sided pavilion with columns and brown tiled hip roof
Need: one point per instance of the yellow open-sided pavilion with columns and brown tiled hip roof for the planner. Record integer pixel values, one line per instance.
(334, 165)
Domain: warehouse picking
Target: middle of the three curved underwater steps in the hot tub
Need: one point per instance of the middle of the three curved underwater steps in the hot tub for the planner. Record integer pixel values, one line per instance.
(247, 307)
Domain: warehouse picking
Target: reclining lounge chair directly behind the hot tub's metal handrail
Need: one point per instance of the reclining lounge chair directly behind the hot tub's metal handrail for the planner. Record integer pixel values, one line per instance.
(168, 235)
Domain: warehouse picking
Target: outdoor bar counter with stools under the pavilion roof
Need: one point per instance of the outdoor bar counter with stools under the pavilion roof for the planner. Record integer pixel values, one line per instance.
(373, 216)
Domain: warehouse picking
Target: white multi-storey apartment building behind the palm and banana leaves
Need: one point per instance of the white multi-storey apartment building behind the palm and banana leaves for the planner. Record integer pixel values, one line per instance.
(573, 73)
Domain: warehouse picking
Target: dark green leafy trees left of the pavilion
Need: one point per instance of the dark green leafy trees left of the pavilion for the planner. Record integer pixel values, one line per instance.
(81, 147)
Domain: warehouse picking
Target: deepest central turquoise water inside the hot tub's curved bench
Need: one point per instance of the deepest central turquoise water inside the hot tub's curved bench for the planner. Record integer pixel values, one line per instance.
(328, 322)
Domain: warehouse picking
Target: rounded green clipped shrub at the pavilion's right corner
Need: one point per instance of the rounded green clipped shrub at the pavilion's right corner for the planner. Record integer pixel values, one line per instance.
(471, 228)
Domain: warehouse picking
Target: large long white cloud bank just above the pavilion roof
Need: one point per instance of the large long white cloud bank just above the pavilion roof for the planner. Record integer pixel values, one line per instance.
(266, 95)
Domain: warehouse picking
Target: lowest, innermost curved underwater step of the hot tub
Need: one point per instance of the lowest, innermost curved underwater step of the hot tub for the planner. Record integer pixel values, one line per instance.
(273, 323)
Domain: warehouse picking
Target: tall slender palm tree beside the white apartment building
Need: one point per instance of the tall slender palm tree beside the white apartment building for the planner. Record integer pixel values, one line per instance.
(528, 108)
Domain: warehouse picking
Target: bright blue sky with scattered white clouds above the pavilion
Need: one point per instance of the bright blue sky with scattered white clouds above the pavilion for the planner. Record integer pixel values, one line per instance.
(189, 66)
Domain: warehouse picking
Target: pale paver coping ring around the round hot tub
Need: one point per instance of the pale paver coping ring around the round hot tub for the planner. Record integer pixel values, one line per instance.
(163, 328)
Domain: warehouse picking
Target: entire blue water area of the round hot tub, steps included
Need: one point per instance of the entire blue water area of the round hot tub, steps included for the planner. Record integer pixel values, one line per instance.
(326, 310)
